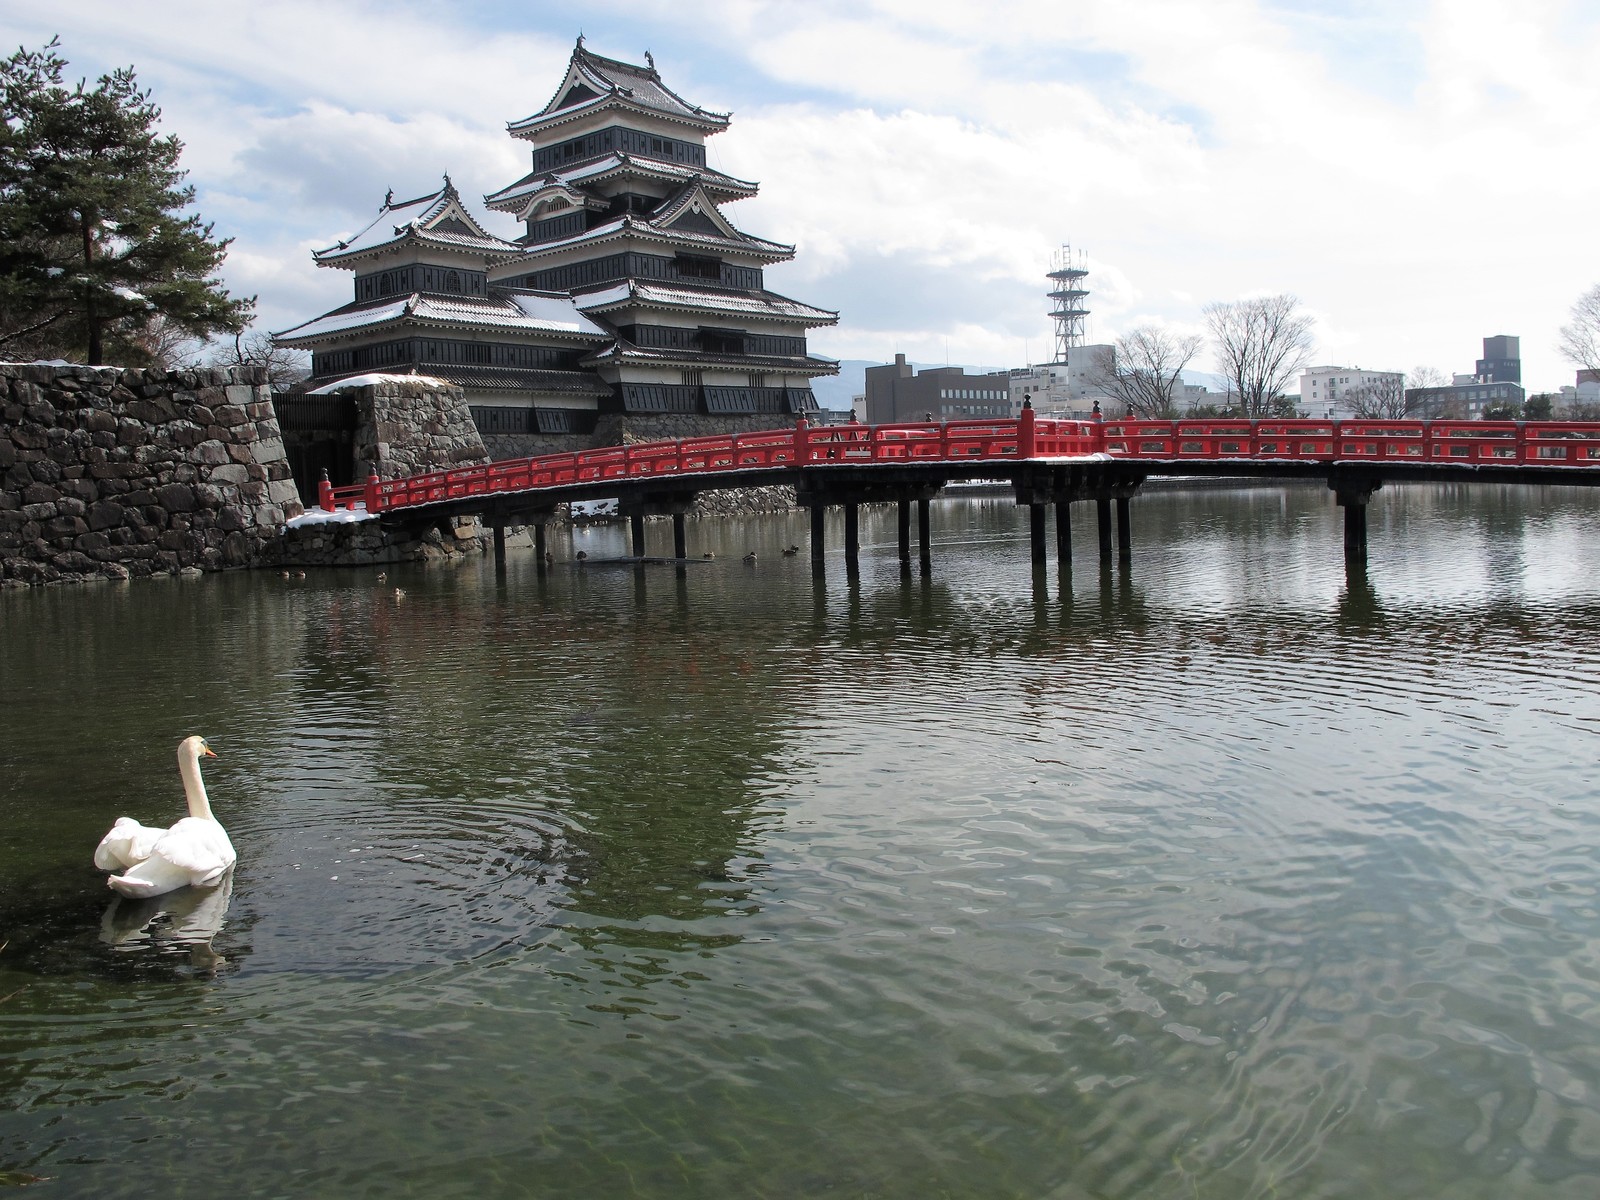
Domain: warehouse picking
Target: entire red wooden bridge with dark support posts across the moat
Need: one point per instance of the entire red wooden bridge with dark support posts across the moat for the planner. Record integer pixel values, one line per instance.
(1046, 462)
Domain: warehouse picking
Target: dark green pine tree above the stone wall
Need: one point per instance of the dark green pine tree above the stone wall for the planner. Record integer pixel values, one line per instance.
(94, 239)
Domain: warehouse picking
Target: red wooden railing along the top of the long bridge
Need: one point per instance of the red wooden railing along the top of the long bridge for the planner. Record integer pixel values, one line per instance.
(1498, 444)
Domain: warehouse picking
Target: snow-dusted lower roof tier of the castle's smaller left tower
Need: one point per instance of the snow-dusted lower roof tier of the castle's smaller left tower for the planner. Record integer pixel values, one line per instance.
(505, 311)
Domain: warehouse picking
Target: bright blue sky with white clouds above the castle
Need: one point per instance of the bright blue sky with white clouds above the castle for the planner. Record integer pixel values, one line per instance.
(1420, 175)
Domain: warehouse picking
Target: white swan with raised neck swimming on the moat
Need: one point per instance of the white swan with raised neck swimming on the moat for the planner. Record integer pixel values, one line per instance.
(194, 852)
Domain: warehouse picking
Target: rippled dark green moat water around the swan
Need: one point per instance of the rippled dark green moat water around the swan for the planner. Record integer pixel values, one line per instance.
(1218, 878)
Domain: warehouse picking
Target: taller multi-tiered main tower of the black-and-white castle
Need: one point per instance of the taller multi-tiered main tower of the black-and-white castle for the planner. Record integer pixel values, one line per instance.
(623, 214)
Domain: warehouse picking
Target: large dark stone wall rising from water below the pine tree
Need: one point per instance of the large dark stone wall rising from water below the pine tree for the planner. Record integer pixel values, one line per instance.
(114, 474)
